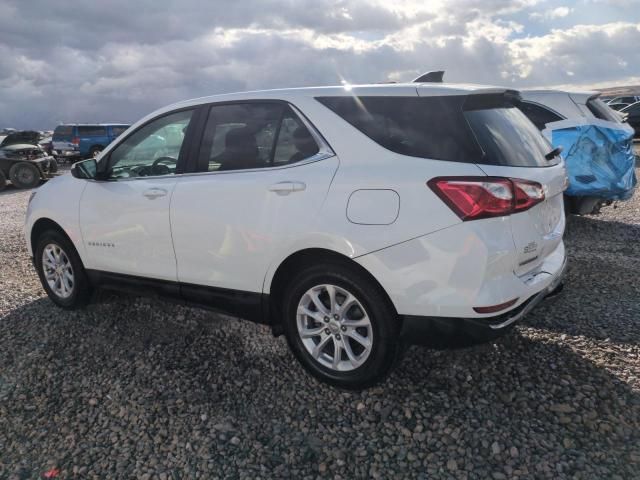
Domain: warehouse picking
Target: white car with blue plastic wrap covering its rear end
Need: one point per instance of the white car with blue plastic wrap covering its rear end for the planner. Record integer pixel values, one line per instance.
(596, 145)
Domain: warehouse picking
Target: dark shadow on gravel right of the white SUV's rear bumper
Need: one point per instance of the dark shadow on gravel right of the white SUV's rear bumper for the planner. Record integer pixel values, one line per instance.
(600, 298)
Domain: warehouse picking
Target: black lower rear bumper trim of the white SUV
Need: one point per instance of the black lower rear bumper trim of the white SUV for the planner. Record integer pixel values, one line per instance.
(441, 332)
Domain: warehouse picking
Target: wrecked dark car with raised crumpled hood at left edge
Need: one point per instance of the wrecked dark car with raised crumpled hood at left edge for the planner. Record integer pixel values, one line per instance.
(23, 161)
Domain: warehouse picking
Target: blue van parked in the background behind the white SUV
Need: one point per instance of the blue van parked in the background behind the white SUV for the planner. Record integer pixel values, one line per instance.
(78, 141)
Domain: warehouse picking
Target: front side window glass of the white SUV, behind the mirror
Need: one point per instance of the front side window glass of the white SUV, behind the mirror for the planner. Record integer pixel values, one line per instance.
(152, 150)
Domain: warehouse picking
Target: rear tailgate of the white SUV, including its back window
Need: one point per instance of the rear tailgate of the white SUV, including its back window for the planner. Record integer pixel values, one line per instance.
(514, 148)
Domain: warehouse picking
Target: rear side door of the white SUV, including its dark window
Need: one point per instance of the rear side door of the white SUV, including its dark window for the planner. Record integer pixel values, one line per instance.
(264, 174)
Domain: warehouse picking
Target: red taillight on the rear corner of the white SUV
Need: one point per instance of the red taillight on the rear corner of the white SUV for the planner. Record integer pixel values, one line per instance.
(472, 198)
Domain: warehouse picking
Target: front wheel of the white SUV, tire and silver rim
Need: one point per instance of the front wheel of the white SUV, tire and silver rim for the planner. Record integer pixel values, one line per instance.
(78, 289)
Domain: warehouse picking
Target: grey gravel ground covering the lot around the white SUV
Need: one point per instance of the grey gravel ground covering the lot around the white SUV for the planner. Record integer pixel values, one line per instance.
(136, 388)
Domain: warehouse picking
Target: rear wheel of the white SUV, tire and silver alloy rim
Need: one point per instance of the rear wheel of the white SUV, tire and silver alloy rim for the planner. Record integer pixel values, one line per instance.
(360, 368)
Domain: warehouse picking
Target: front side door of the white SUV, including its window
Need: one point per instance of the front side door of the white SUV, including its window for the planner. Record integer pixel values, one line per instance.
(125, 218)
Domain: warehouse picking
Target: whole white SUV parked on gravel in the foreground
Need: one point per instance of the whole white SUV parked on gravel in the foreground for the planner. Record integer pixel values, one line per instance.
(352, 219)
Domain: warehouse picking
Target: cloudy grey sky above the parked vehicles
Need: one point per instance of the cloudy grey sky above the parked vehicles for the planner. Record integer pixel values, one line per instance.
(85, 61)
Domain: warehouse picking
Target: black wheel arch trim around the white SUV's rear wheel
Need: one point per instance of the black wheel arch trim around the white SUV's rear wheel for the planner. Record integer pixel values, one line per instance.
(302, 259)
